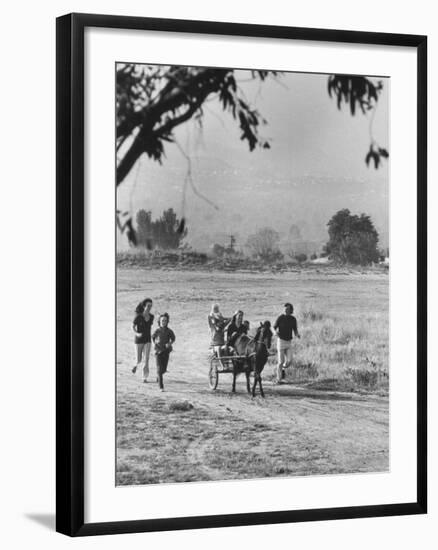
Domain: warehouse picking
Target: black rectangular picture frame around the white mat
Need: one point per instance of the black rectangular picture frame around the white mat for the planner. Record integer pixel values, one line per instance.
(70, 273)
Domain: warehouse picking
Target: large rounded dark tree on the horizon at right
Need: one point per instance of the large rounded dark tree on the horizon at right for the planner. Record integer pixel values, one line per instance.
(352, 239)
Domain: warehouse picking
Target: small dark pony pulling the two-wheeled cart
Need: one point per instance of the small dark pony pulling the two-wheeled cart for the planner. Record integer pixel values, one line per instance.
(255, 352)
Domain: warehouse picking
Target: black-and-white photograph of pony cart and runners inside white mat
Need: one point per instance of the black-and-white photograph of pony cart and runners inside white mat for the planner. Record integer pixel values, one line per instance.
(252, 273)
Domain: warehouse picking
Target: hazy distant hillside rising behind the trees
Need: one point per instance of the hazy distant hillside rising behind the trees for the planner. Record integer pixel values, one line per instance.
(252, 198)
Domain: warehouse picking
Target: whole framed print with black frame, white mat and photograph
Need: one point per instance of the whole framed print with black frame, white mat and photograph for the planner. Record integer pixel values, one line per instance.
(241, 274)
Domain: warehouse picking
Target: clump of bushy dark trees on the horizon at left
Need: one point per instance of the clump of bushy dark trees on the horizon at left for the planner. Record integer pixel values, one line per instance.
(166, 232)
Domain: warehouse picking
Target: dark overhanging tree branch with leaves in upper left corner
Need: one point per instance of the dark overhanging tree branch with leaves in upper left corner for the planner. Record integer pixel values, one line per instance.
(156, 103)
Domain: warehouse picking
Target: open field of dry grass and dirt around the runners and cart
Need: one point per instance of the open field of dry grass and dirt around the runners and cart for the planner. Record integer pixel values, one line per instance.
(330, 417)
